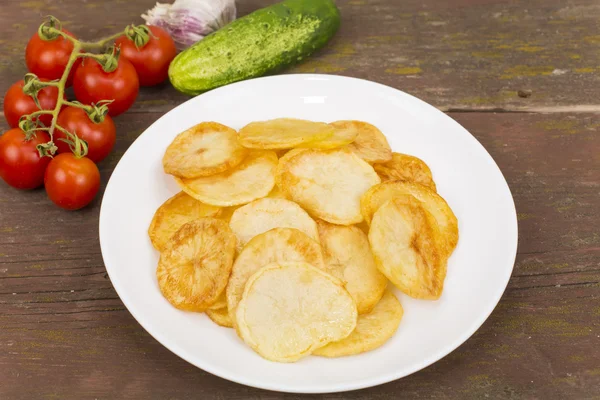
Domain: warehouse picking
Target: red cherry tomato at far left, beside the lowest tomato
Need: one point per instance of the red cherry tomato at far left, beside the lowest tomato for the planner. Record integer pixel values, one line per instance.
(20, 163)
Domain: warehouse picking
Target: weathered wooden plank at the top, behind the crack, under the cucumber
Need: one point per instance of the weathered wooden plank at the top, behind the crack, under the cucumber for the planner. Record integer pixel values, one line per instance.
(465, 54)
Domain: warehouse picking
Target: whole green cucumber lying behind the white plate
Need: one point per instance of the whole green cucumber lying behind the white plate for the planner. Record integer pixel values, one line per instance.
(262, 42)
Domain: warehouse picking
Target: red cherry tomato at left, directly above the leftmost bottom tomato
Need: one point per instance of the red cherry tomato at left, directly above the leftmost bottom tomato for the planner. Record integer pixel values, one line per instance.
(17, 103)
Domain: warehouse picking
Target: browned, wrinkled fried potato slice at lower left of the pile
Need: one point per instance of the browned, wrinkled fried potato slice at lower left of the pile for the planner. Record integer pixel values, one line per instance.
(193, 270)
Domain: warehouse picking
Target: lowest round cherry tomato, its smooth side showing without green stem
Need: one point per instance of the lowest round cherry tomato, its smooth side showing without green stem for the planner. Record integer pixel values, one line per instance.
(71, 182)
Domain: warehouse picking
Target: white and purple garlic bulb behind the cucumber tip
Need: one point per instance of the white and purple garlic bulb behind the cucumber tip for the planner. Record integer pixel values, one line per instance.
(189, 21)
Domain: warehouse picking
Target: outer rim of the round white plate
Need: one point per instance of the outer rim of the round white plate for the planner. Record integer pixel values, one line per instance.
(358, 384)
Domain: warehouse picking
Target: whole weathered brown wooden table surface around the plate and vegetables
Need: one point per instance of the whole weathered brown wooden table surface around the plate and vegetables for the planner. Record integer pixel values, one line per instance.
(522, 76)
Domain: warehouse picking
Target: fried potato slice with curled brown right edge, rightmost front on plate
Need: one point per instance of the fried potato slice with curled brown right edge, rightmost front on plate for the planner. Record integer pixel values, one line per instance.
(403, 239)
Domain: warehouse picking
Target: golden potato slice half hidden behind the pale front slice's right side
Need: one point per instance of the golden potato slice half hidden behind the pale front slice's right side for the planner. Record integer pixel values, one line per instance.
(348, 257)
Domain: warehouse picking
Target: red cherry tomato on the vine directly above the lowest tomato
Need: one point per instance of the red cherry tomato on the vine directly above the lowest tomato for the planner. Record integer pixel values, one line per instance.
(100, 137)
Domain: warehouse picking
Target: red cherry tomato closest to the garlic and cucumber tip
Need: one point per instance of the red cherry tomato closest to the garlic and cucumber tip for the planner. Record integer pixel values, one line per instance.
(152, 61)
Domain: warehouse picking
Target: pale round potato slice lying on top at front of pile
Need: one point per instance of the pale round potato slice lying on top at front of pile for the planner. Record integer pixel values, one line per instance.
(290, 309)
